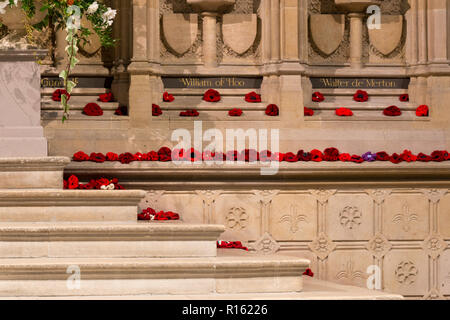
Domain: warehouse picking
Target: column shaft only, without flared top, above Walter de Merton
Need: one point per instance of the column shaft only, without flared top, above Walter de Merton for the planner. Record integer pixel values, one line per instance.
(356, 39)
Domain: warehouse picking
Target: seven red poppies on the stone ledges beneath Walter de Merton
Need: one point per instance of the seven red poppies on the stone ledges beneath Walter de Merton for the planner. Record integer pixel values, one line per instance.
(362, 96)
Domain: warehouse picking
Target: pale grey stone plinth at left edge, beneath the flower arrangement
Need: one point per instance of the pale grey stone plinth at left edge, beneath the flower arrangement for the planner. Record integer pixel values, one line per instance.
(21, 133)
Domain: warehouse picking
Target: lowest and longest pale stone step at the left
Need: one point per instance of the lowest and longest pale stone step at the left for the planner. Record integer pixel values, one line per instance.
(176, 276)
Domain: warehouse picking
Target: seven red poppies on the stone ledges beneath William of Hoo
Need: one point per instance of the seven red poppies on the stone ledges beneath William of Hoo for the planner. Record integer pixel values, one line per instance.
(214, 96)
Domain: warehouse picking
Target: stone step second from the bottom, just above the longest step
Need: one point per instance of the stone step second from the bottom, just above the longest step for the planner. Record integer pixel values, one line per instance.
(108, 240)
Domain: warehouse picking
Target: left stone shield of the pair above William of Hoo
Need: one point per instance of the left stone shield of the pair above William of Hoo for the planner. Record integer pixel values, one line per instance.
(180, 31)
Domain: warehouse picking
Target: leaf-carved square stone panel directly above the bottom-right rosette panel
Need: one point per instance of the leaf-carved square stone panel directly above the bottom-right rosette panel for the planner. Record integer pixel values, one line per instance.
(406, 217)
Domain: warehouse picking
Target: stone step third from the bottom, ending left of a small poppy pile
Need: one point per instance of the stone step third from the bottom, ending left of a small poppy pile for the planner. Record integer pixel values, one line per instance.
(69, 205)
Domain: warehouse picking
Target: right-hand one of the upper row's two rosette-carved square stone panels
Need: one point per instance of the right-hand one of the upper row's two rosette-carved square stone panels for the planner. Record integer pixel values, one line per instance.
(350, 217)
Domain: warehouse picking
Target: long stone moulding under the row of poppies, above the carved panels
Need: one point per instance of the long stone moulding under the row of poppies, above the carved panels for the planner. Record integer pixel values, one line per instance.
(167, 176)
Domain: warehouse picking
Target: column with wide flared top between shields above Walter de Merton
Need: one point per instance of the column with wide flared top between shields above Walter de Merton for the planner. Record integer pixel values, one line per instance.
(356, 12)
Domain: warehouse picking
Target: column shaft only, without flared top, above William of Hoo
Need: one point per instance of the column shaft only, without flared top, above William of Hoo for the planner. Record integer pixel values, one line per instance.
(209, 39)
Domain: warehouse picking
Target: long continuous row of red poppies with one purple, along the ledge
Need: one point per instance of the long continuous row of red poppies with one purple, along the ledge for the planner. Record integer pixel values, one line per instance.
(165, 154)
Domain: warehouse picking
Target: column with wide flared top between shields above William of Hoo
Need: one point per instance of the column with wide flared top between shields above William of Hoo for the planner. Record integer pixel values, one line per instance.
(209, 10)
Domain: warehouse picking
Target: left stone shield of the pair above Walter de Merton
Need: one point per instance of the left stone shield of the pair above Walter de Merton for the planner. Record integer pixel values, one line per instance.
(327, 31)
